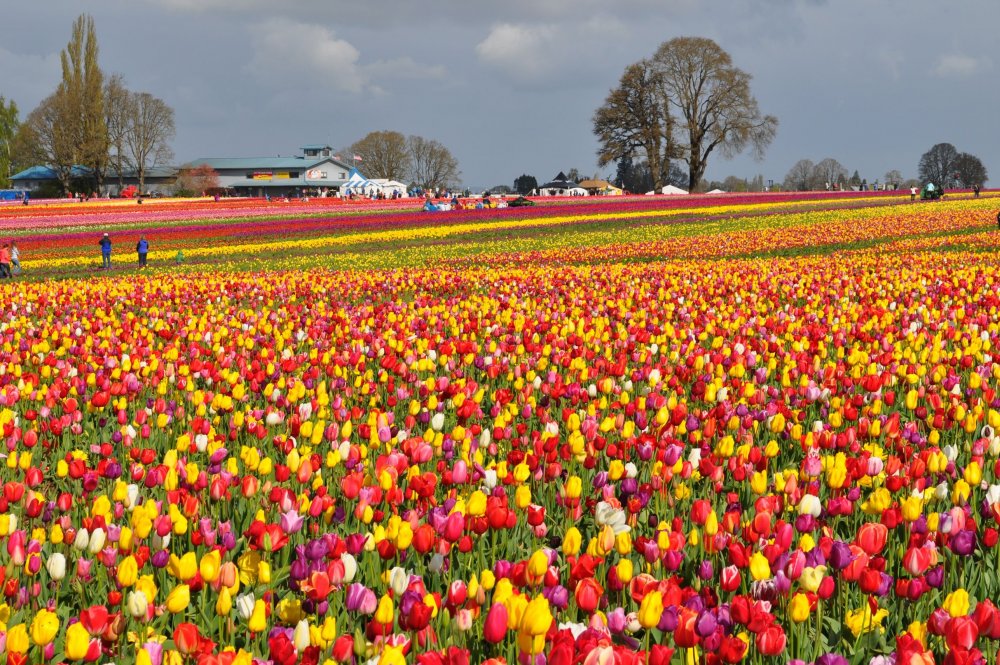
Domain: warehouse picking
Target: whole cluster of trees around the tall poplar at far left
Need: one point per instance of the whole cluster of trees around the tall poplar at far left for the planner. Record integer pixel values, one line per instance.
(90, 126)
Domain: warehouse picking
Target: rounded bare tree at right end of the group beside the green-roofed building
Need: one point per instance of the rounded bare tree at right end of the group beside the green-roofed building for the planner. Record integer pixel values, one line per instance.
(150, 127)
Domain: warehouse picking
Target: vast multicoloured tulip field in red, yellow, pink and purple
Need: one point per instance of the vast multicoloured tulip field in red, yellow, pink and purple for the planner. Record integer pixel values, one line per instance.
(757, 429)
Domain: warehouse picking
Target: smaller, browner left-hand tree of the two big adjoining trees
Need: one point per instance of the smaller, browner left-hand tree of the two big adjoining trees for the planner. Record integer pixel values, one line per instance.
(635, 122)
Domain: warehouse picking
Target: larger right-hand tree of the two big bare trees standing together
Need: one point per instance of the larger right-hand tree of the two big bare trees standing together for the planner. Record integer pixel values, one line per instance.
(713, 101)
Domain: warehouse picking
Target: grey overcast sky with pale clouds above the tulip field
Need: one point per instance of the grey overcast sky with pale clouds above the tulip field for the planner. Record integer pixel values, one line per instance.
(510, 86)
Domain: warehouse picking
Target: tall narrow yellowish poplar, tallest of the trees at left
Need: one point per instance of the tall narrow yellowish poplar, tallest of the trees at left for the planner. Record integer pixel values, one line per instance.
(82, 90)
